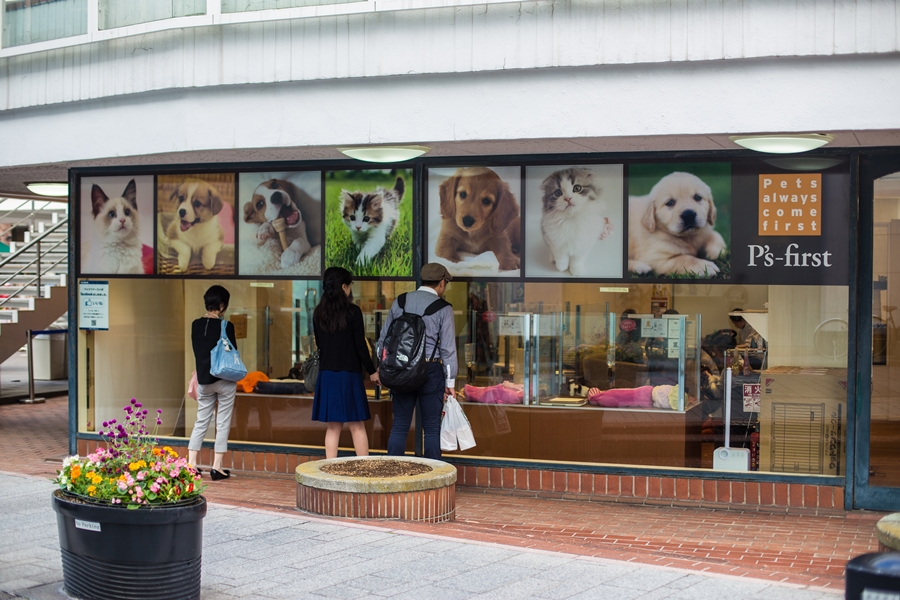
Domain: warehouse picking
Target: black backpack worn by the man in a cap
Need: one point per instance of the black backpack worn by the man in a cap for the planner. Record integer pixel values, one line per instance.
(403, 367)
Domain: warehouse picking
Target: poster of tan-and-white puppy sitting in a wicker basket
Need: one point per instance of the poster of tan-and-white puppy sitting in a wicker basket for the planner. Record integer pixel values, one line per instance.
(195, 224)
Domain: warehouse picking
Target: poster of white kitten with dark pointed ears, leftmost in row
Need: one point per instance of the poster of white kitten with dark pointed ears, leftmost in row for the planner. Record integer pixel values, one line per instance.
(116, 225)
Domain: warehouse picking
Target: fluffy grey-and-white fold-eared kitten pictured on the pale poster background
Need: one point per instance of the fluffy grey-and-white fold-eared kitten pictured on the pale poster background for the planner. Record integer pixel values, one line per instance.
(572, 218)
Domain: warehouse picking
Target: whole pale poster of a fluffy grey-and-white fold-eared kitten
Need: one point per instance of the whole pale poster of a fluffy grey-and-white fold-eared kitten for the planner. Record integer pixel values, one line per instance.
(574, 225)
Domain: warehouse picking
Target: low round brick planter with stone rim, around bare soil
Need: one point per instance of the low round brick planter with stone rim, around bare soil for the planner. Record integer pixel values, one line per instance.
(427, 497)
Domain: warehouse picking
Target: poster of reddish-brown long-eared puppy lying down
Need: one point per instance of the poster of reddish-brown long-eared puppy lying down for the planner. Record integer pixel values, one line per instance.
(474, 223)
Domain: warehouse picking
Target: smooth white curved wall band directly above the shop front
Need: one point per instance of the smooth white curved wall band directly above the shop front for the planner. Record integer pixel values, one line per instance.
(565, 105)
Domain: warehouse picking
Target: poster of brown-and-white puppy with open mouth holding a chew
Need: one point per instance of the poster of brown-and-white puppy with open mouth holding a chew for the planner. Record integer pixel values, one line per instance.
(280, 223)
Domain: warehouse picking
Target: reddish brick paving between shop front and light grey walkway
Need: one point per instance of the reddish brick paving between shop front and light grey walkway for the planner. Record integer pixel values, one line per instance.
(802, 549)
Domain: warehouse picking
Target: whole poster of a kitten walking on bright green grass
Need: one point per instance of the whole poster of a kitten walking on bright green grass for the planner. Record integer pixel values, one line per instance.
(368, 221)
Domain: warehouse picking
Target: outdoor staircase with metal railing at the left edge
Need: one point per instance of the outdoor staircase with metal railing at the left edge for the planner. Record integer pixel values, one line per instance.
(33, 274)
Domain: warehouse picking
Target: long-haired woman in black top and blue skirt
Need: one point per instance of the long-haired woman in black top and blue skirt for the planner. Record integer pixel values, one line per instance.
(343, 354)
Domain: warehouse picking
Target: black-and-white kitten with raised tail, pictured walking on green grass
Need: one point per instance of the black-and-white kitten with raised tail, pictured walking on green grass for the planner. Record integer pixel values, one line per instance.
(371, 217)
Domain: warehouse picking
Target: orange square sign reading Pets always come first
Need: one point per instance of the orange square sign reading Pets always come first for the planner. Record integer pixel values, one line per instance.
(790, 205)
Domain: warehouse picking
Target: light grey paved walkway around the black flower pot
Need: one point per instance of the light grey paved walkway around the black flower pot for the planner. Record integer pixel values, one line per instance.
(255, 554)
